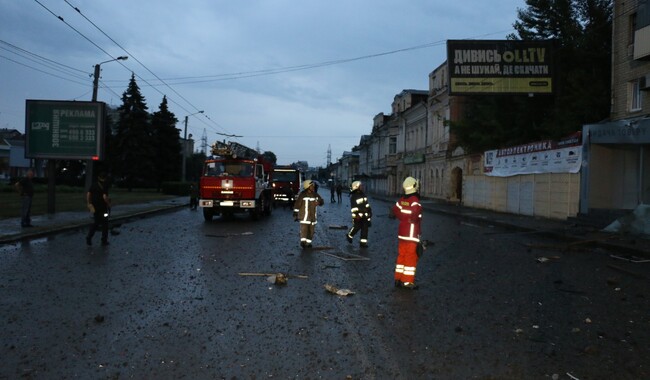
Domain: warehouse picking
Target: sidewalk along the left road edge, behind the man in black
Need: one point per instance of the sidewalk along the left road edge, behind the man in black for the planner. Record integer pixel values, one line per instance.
(48, 224)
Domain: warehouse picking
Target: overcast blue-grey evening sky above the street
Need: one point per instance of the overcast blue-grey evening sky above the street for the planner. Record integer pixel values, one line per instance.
(293, 77)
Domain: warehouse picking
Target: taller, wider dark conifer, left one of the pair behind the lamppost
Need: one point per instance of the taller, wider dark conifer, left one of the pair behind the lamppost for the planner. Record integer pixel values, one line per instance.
(133, 152)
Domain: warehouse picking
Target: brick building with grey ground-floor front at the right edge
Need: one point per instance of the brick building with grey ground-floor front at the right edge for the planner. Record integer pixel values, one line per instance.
(616, 176)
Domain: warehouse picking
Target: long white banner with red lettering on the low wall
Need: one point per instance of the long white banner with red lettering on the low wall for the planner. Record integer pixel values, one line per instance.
(564, 156)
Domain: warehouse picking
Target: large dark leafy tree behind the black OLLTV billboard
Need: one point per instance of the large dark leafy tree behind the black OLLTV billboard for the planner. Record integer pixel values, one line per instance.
(581, 30)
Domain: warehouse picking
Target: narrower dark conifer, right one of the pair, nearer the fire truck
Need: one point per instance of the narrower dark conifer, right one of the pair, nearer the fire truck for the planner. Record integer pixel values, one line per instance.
(166, 139)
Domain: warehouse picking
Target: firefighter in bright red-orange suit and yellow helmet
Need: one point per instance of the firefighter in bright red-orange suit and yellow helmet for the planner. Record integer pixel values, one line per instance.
(408, 211)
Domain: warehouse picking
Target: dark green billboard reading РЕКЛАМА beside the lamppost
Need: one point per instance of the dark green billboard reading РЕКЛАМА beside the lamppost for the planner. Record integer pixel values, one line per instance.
(64, 129)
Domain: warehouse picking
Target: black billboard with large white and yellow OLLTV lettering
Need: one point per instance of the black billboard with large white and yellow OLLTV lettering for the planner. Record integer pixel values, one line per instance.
(500, 67)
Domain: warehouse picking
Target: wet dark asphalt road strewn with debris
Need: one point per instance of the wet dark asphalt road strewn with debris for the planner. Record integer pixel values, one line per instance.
(166, 301)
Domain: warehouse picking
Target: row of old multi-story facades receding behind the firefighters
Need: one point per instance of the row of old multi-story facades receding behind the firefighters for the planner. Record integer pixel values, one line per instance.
(414, 140)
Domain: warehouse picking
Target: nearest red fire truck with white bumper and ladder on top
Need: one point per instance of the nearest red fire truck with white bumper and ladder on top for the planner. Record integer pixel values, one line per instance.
(235, 180)
